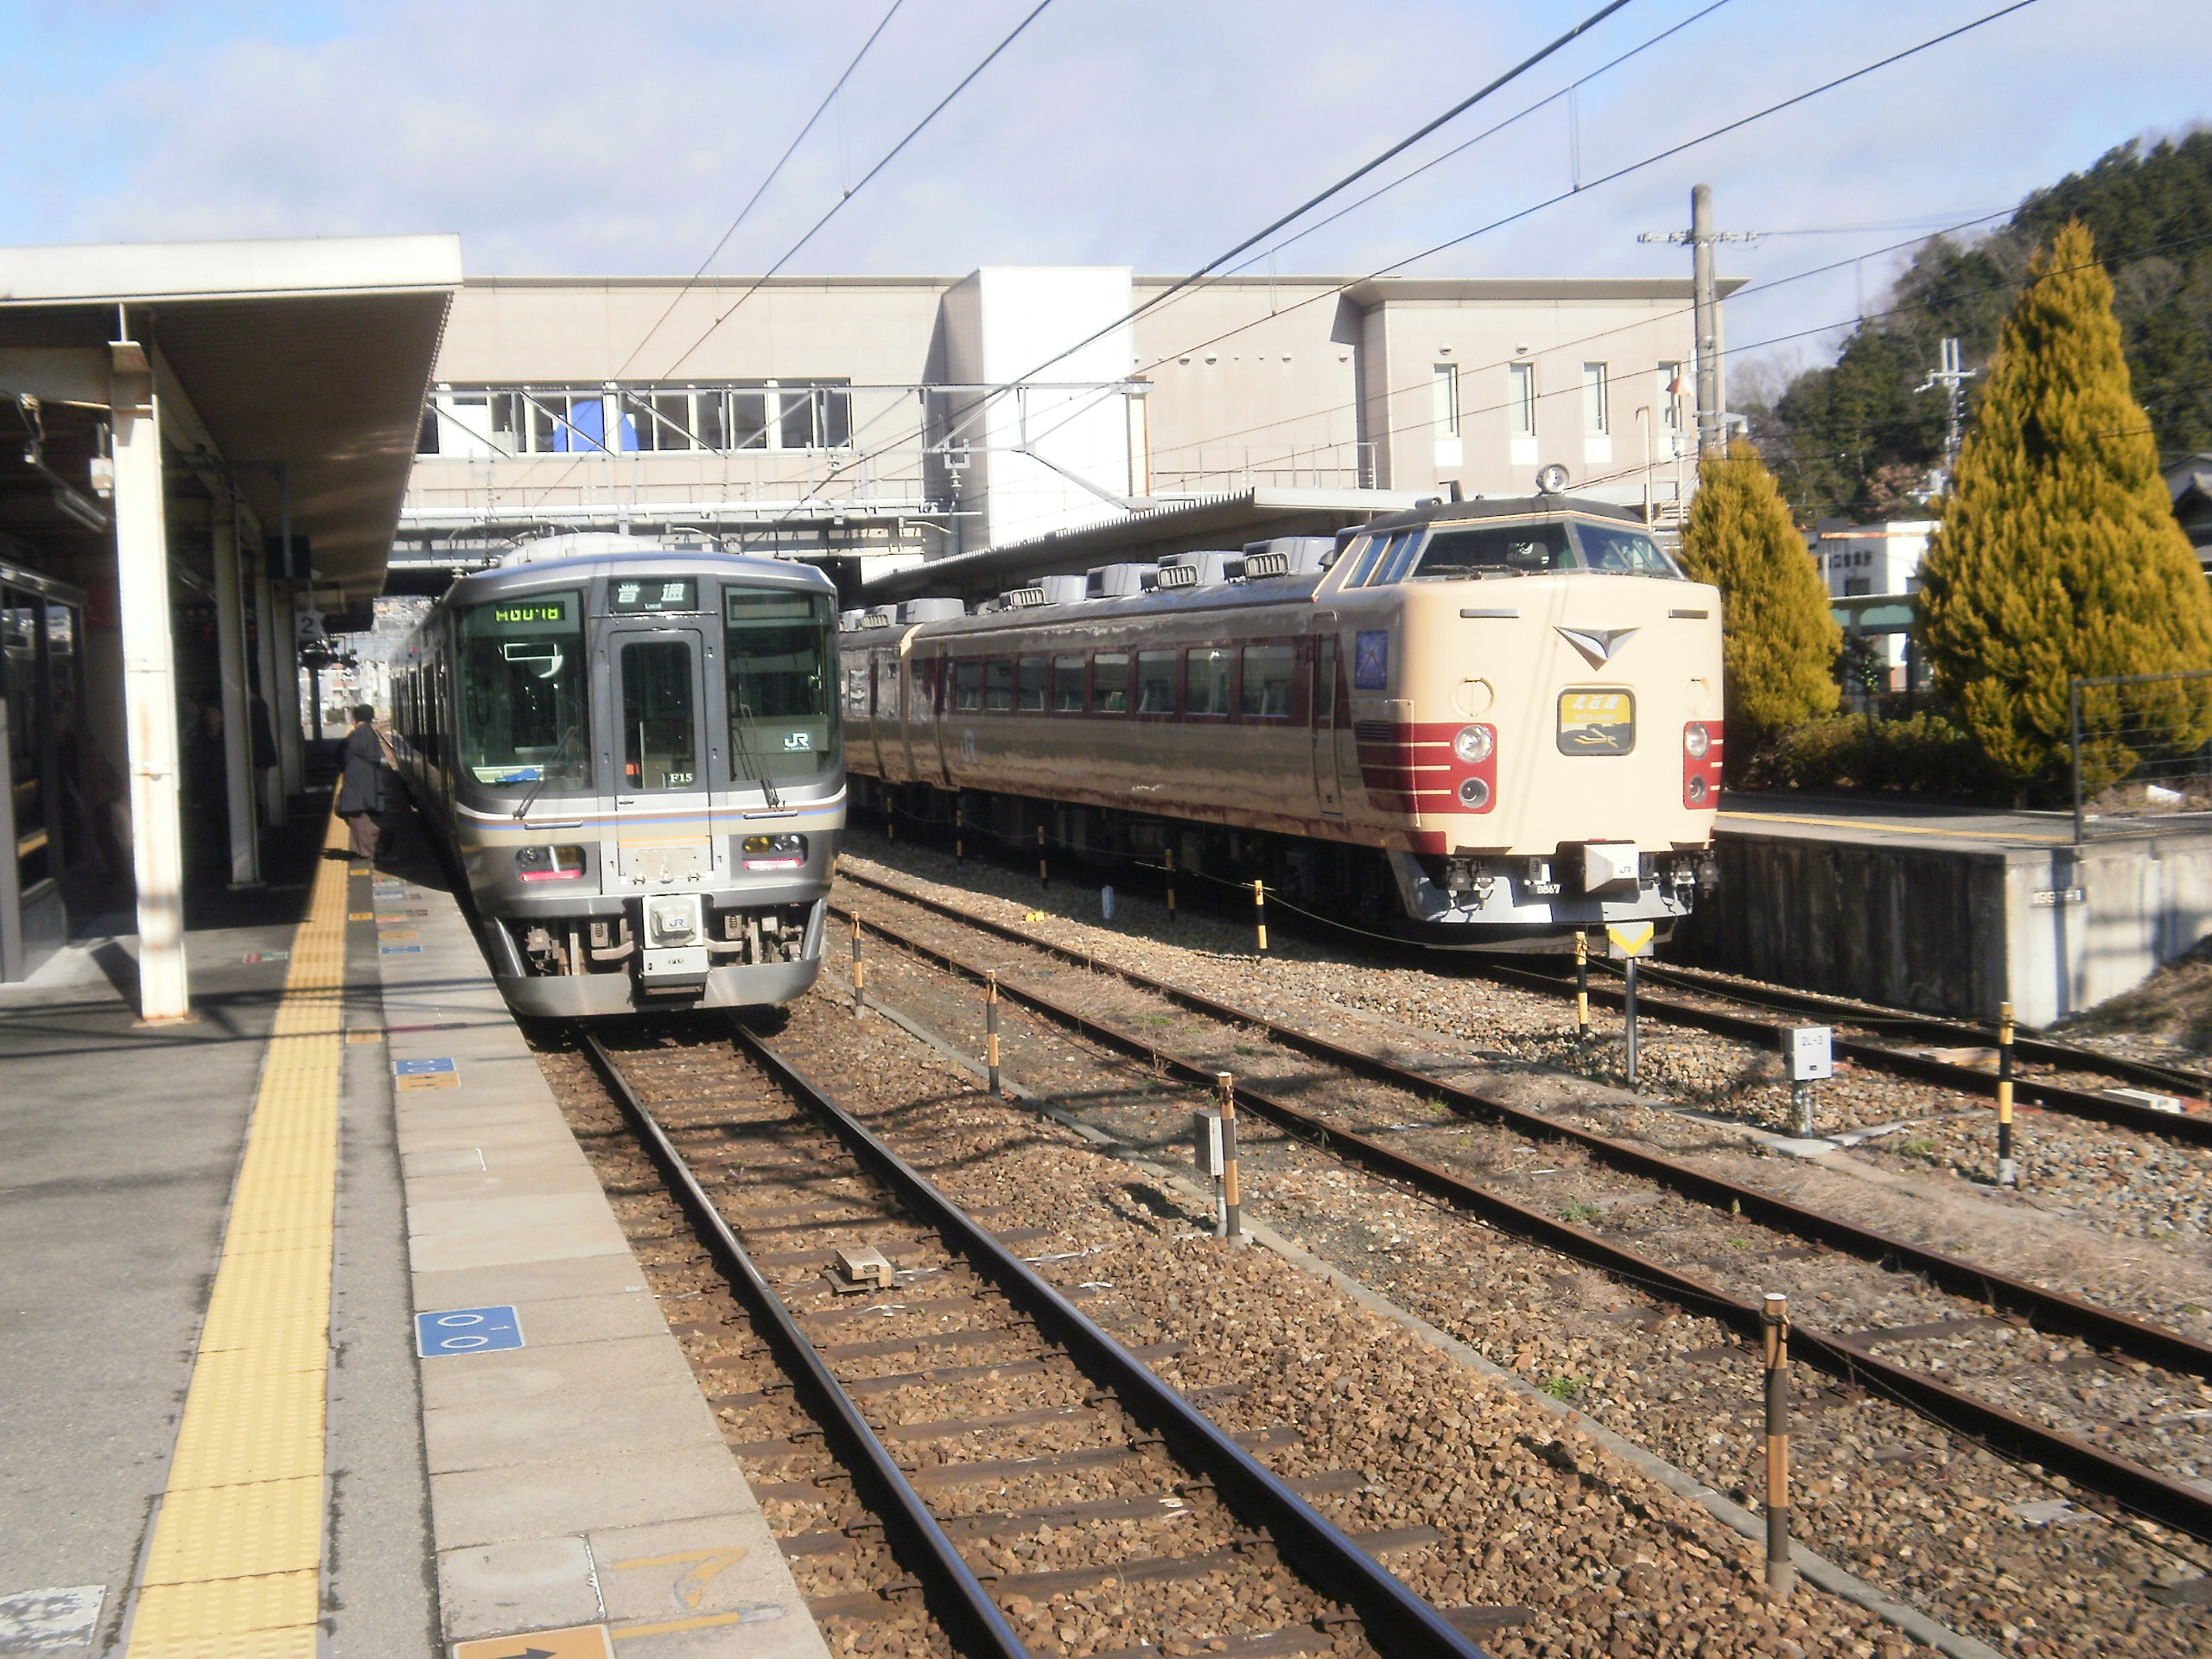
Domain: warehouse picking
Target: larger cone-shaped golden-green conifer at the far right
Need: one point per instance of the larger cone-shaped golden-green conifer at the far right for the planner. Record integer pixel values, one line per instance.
(2058, 550)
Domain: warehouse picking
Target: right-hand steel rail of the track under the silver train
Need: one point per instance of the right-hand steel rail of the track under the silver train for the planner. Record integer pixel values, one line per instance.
(1397, 1620)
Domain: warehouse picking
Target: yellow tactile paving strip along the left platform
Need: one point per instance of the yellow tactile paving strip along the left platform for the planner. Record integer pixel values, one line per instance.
(236, 1569)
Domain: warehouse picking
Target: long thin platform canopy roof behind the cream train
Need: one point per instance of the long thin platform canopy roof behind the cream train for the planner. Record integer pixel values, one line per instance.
(1182, 528)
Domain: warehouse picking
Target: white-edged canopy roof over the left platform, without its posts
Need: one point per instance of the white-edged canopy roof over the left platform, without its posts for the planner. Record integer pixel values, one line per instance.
(291, 366)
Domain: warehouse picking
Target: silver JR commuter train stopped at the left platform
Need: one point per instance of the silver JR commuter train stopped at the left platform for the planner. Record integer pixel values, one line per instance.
(634, 755)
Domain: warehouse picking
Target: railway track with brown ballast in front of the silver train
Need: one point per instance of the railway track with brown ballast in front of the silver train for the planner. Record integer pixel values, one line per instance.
(1094, 1448)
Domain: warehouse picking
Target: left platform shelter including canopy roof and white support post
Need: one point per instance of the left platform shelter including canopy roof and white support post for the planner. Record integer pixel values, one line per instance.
(209, 444)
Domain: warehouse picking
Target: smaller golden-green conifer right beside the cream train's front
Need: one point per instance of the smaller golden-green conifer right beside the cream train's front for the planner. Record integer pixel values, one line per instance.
(1780, 638)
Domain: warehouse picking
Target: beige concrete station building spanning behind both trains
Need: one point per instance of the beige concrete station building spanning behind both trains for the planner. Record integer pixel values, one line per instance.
(901, 419)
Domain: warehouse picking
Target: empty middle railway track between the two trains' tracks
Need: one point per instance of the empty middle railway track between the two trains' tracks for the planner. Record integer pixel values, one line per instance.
(1979, 1331)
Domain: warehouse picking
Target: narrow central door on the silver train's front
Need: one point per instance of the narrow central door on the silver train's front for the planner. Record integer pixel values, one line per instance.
(660, 753)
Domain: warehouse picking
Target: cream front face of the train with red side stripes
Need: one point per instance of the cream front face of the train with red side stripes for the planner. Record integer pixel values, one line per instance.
(1536, 698)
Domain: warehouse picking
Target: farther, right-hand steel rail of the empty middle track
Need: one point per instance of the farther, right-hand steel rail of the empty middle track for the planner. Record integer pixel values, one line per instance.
(2052, 1311)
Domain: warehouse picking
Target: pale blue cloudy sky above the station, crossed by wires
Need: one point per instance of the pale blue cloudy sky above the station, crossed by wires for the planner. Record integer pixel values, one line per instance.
(594, 138)
